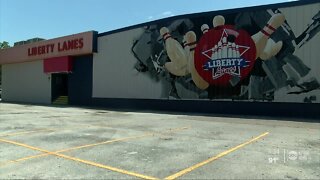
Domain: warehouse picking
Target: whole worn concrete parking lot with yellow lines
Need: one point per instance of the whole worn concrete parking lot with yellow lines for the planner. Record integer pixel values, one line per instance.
(43, 142)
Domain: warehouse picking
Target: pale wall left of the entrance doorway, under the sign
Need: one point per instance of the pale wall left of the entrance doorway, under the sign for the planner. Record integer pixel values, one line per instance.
(26, 82)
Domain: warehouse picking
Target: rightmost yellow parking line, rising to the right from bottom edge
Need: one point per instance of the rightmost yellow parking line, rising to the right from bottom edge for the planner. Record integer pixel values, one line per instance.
(187, 170)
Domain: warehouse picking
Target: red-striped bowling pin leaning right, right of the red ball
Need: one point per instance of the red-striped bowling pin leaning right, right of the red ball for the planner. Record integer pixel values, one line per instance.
(260, 39)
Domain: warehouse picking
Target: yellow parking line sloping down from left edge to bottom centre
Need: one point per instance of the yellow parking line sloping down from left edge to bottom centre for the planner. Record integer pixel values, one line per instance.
(80, 160)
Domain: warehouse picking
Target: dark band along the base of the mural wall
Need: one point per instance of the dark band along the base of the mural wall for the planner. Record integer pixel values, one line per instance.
(269, 109)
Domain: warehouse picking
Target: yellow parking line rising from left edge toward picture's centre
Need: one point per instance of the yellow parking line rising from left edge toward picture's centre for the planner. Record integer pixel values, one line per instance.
(95, 144)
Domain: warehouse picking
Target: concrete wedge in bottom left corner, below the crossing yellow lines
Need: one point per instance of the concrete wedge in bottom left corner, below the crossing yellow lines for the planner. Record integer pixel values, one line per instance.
(56, 168)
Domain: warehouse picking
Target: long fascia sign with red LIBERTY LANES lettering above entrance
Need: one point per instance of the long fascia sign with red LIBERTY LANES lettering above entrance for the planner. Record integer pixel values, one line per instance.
(73, 45)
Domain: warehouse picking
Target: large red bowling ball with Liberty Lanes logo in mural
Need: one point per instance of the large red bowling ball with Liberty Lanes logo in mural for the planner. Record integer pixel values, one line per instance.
(223, 53)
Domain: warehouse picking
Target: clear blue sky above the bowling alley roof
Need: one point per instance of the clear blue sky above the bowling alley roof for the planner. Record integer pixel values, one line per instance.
(26, 19)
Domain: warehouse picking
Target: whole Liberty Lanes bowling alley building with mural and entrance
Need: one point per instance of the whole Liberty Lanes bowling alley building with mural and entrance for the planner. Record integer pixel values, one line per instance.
(273, 68)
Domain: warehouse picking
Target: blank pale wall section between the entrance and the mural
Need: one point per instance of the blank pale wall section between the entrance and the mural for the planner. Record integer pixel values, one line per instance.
(114, 75)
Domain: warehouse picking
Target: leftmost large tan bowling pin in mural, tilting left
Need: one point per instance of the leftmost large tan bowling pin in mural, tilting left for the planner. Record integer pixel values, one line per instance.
(177, 55)
